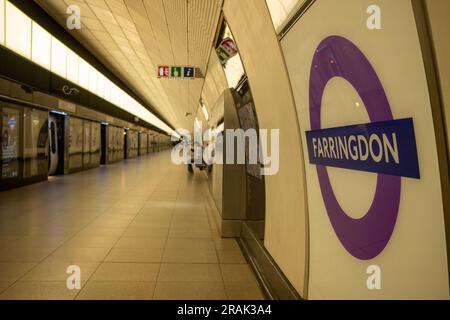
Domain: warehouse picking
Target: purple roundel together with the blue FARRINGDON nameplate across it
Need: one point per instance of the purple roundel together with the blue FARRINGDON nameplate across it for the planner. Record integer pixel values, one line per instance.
(384, 146)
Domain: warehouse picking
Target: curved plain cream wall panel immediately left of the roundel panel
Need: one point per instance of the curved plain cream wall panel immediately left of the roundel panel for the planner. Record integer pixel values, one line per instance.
(286, 222)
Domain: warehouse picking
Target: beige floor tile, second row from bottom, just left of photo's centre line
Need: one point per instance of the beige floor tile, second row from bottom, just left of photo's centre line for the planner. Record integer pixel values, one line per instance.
(189, 273)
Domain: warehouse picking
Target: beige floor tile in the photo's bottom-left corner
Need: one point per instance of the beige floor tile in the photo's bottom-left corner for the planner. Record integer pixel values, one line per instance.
(39, 291)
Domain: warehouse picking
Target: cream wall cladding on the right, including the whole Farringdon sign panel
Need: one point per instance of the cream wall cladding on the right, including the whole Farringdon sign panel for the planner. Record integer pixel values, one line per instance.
(331, 219)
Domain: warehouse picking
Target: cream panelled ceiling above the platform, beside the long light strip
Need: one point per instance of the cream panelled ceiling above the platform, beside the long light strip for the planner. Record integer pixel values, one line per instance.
(133, 37)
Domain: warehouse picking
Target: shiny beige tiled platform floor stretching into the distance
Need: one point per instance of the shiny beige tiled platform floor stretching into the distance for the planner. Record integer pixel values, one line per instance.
(138, 229)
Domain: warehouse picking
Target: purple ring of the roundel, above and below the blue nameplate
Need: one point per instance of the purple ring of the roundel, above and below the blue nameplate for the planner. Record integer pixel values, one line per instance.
(367, 237)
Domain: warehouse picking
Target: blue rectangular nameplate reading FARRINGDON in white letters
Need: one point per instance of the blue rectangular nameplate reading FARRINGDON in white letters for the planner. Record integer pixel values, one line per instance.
(387, 147)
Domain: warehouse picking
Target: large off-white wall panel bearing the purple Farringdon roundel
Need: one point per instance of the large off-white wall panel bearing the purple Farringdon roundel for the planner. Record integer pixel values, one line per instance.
(367, 126)
